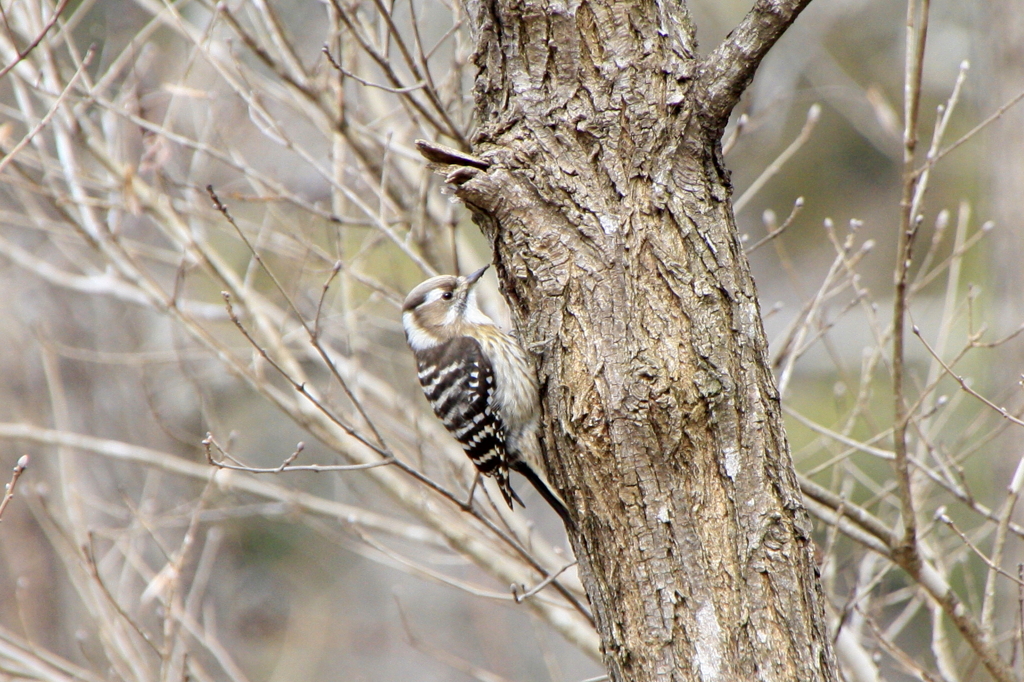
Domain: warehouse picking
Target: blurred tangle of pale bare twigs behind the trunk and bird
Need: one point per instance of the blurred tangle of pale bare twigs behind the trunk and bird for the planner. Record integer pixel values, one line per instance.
(124, 370)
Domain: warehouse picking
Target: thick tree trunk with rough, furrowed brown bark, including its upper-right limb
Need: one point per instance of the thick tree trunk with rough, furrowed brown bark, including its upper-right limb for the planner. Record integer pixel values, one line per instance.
(602, 186)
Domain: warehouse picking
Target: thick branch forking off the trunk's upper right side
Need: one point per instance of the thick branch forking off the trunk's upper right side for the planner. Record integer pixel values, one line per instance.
(729, 70)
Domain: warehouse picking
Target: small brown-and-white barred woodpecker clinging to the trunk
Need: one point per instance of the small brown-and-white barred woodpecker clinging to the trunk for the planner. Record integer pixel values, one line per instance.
(480, 382)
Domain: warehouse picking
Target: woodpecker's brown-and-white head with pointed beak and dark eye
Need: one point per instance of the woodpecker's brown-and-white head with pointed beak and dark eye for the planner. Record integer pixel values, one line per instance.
(440, 310)
